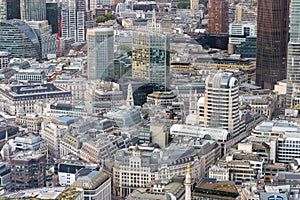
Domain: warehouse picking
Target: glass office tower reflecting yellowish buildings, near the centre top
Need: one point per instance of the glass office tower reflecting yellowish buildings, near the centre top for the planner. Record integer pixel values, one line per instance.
(151, 57)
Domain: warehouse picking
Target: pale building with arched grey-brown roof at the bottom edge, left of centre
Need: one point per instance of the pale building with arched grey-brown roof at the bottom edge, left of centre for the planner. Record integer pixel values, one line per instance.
(95, 184)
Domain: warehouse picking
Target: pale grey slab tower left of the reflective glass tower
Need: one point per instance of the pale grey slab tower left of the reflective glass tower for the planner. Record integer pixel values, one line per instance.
(100, 53)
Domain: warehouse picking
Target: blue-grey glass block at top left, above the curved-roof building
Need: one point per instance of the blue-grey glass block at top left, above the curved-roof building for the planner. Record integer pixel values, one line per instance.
(33, 10)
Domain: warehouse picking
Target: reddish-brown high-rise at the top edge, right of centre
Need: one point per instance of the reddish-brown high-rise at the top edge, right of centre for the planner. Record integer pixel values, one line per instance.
(217, 16)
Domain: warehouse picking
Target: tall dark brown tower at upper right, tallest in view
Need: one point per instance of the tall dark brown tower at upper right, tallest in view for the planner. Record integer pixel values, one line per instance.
(272, 42)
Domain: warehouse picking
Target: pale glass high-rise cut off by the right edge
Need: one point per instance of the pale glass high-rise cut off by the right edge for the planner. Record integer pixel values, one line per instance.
(293, 65)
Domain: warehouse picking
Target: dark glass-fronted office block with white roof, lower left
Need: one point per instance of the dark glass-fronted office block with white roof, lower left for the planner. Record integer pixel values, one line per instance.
(28, 170)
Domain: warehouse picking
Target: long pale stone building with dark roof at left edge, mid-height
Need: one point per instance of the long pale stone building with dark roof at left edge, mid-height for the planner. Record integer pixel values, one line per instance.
(24, 97)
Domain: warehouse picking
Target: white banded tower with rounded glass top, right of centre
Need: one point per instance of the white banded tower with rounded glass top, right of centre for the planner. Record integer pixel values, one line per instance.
(220, 105)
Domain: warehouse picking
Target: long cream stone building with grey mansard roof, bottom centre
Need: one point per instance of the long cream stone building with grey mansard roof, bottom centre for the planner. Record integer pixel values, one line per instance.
(136, 166)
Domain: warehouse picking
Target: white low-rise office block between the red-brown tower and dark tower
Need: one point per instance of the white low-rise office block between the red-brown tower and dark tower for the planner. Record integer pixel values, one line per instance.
(239, 31)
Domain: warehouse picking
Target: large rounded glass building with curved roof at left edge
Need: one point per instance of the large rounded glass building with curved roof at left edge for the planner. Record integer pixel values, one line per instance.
(19, 39)
